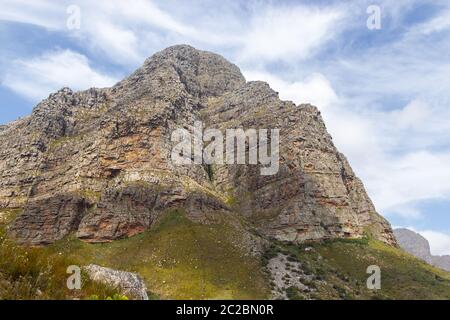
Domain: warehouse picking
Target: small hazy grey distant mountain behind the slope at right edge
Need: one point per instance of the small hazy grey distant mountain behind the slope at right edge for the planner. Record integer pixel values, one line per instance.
(419, 247)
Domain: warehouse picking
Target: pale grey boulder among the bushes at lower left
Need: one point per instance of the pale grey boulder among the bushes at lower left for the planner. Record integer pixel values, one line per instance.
(130, 284)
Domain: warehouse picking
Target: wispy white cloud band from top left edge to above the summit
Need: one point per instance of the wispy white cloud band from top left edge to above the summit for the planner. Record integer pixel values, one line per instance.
(123, 32)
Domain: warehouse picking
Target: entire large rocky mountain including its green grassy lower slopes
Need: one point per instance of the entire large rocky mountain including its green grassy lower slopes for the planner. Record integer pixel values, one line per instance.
(89, 179)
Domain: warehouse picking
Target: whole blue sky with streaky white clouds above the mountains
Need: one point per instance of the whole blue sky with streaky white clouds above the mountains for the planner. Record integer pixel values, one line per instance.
(384, 93)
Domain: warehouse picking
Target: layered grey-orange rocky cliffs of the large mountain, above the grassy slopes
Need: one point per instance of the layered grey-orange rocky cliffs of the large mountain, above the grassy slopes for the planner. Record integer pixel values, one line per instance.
(98, 162)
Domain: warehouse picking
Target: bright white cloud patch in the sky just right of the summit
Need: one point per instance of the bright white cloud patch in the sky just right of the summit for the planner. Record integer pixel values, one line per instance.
(286, 33)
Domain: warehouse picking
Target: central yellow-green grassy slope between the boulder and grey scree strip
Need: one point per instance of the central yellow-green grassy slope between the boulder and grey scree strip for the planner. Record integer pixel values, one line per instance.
(178, 259)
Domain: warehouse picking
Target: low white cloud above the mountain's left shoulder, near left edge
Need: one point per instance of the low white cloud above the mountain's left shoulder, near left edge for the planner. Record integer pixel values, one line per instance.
(37, 77)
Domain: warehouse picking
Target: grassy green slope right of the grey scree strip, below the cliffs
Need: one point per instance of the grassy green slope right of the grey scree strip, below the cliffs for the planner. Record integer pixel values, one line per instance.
(340, 271)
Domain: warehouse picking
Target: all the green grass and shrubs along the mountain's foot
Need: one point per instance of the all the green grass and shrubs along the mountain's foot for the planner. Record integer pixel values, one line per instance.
(181, 259)
